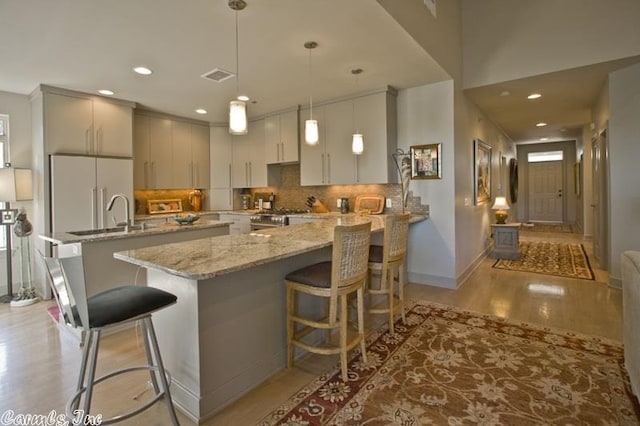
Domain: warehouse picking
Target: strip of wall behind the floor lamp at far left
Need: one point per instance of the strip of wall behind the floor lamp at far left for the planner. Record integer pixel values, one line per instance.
(19, 110)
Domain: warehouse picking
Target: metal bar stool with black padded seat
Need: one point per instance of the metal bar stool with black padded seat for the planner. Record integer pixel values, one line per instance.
(92, 315)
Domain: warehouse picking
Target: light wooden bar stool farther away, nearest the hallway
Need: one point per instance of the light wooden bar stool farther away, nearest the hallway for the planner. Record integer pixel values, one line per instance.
(385, 261)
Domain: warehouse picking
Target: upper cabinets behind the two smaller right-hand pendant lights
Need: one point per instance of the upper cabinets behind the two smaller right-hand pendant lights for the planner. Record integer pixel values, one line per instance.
(331, 161)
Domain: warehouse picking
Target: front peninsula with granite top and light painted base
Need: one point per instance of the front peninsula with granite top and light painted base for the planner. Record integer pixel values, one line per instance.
(226, 334)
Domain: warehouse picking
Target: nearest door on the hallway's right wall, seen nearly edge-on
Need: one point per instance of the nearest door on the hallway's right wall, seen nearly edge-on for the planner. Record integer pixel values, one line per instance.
(599, 197)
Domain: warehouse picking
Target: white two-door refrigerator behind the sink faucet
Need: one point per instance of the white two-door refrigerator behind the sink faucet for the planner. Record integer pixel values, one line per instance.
(81, 188)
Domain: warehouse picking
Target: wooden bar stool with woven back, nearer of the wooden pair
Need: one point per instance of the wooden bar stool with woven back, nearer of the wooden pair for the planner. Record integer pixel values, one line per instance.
(334, 280)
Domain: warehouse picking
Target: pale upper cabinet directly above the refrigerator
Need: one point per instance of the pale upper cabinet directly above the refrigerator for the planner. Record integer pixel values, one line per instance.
(76, 123)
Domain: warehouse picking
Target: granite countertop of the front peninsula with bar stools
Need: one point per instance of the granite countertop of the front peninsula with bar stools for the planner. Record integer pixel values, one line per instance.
(208, 257)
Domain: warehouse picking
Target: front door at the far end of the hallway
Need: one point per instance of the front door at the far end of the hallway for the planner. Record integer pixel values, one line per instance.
(546, 191)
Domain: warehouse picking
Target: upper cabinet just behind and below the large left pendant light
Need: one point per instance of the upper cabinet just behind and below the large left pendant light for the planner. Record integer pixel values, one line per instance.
(249, 166)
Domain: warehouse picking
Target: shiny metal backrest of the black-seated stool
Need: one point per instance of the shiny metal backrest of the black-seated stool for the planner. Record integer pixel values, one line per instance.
(66, 277)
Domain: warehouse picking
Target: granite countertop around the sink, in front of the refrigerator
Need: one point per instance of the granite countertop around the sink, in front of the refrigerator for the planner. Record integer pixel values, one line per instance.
(150, 229)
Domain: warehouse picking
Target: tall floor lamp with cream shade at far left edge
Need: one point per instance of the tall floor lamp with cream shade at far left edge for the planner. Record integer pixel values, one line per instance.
(15, 185)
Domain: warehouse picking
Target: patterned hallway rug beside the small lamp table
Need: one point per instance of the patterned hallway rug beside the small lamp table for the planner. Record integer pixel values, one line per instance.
(562, 259)
